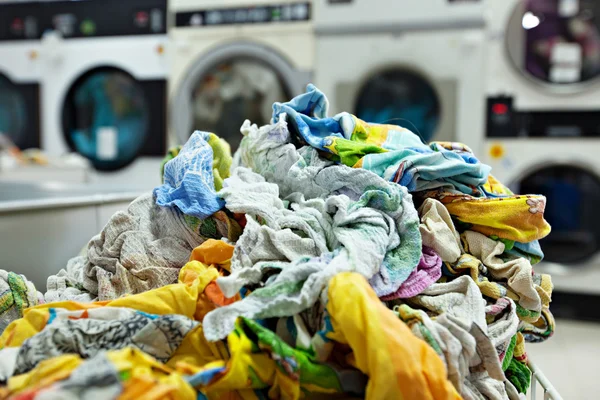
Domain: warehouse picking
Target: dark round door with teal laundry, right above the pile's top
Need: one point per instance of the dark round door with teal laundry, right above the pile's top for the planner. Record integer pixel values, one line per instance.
(400, 97)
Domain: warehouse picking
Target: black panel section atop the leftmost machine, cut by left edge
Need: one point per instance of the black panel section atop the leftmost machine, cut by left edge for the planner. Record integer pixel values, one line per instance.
(19, 21)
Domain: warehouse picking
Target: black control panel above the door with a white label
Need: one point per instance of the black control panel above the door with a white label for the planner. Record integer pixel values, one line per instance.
(95, 18)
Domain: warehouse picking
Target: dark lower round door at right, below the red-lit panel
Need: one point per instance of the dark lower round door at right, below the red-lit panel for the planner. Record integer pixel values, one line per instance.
(573, 196)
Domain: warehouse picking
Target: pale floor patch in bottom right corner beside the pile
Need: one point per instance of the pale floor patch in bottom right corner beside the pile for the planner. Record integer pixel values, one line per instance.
(571, 359)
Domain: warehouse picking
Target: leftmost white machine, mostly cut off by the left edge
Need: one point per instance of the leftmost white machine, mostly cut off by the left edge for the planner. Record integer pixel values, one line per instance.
(20, 73)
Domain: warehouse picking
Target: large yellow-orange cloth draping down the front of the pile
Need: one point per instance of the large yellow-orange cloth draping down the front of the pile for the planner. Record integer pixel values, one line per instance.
(399, 365)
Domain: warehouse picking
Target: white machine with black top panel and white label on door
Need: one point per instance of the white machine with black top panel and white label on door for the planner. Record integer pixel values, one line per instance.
(104, 80)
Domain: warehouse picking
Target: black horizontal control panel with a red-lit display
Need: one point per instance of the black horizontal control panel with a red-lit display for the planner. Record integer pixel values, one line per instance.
(504, 120)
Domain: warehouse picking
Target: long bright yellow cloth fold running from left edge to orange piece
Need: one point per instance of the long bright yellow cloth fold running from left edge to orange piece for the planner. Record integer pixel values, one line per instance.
(180, 298)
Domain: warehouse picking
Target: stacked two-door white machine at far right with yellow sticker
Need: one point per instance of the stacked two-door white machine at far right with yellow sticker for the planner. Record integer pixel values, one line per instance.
(543, 124)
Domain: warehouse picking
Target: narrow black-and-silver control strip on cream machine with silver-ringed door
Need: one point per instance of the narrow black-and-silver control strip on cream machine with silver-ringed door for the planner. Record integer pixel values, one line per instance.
(247, 15)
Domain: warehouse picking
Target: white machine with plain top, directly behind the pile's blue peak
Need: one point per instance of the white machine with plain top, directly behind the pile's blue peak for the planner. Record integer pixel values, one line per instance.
(411, 63)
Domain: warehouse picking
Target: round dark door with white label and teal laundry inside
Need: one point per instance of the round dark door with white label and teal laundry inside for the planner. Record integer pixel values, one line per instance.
(106, 118)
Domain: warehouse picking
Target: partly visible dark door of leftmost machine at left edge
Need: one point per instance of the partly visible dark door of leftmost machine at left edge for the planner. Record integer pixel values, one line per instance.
(17, 113)
